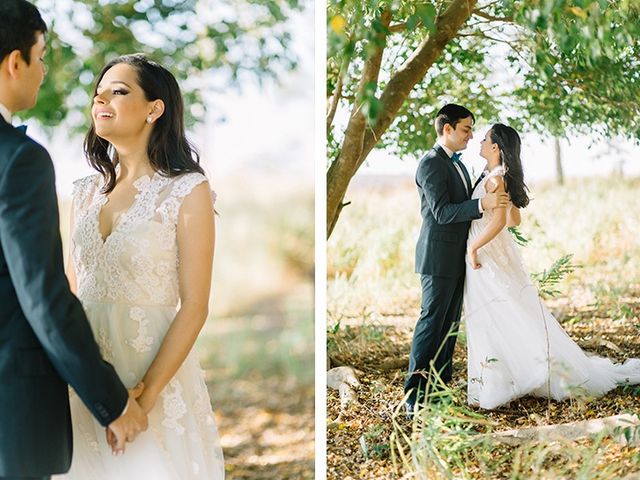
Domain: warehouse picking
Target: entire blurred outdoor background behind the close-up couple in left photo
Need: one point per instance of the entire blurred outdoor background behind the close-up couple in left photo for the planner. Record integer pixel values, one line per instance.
(246, 70)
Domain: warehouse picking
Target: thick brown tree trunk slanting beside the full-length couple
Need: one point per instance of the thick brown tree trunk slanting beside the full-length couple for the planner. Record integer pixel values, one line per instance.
(359, 142)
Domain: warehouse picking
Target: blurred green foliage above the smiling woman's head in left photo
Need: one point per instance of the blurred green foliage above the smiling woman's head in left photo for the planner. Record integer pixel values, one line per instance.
(189, 37)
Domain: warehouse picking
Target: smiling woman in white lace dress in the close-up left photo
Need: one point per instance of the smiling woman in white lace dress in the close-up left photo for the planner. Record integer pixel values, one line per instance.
(141, 255)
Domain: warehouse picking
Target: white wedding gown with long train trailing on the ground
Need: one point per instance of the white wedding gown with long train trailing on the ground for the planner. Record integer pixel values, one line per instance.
(515, 346)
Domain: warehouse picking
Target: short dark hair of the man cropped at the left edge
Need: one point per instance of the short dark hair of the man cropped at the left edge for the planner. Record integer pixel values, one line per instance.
(20, 22)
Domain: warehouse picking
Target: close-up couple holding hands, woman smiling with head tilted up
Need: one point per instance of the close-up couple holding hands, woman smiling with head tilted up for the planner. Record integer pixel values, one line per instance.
(142, 240)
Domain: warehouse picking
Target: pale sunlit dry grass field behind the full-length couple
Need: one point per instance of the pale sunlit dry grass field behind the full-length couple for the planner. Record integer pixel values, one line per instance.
(371, 252)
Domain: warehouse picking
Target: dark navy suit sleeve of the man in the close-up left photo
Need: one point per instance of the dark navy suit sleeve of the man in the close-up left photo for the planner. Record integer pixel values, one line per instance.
(30, 239)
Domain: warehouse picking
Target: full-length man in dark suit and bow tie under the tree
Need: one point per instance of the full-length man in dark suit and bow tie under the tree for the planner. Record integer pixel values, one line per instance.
(446, 207)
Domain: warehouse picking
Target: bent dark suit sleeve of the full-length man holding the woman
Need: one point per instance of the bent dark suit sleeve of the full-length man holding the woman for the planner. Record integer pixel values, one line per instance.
(432, 179)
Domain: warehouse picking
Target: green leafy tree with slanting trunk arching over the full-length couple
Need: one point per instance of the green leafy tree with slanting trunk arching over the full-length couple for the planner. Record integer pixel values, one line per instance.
(555, 66)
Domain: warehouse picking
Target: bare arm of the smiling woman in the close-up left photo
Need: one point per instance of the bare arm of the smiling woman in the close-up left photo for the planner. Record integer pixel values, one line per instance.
(196, 237)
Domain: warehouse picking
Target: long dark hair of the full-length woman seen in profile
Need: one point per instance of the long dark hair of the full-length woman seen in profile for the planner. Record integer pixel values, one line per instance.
(509, 143)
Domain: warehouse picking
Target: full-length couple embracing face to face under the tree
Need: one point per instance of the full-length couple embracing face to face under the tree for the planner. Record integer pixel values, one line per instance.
(466, 257)
